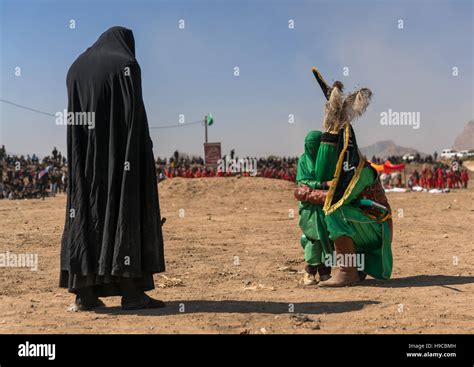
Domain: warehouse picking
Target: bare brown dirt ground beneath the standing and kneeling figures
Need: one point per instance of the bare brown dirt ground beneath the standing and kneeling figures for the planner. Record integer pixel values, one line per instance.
(234, 263)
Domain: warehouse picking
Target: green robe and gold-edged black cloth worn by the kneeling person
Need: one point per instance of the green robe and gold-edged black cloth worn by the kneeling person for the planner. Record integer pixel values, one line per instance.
(343, 217)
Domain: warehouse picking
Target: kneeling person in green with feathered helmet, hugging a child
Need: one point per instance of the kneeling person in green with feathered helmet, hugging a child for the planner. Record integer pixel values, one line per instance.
(357, 213)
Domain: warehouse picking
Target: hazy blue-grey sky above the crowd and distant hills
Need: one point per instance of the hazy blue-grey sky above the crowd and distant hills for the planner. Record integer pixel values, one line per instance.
(191, 71)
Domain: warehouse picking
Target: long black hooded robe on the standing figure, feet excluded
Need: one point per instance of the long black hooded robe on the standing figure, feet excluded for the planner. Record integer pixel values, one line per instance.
(113, 224)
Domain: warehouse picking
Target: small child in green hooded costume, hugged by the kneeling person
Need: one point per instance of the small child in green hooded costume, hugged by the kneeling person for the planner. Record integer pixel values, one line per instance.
(315, 238)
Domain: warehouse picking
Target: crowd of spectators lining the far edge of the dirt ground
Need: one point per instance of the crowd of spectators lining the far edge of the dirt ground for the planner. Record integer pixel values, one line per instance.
(26, 177)
